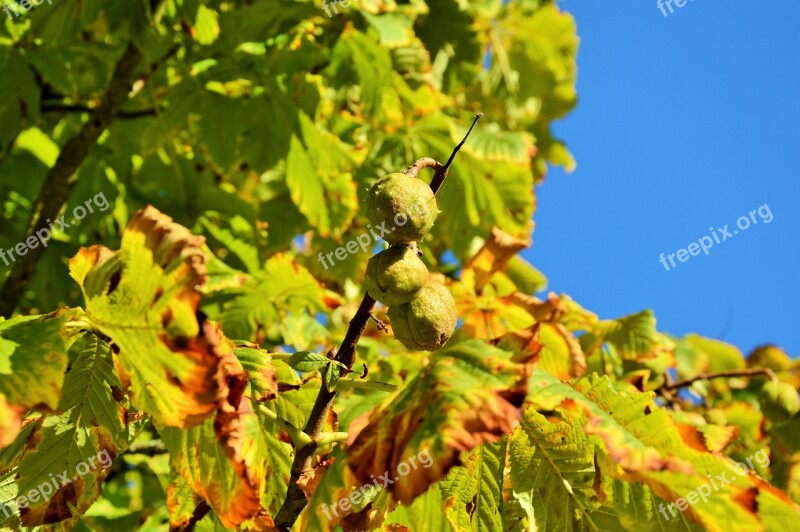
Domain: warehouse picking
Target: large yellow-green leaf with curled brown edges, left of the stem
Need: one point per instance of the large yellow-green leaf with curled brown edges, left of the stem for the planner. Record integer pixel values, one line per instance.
(145, 298)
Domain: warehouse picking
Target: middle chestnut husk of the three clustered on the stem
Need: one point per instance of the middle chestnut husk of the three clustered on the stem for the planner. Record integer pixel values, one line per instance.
(395, 275)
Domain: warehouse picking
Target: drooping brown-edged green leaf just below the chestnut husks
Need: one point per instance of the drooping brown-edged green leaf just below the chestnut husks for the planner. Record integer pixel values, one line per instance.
(459, 401)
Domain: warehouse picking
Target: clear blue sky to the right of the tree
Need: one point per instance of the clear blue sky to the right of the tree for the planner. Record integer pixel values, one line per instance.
(684, 122)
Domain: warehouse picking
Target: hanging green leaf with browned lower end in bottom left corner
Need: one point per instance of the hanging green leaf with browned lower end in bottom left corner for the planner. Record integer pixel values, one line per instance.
(72, 450)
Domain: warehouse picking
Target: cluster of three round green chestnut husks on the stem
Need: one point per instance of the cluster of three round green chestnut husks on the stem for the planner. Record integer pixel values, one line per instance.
(423, 313)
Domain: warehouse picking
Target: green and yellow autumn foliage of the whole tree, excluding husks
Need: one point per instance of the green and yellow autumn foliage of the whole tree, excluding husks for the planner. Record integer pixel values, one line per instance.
(192, 346)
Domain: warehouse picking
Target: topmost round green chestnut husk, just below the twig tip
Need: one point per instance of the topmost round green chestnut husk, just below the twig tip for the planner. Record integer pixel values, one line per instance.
(405, 207)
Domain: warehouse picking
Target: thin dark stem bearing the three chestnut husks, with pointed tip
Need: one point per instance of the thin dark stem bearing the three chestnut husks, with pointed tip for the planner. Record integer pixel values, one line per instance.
(296, 500)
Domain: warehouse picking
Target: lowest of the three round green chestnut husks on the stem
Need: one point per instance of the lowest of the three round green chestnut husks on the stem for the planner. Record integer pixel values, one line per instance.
(428, 321)
